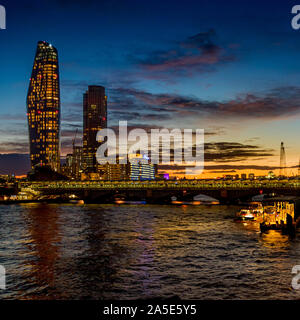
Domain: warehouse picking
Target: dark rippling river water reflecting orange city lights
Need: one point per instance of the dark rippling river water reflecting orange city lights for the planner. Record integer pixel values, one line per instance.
(63, 251)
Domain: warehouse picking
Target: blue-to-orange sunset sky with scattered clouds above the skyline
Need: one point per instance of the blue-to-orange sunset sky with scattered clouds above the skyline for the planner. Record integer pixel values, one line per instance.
(229, 67)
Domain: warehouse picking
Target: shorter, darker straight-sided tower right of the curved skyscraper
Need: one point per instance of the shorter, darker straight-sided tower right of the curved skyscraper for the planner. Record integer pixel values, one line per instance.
(94, 119)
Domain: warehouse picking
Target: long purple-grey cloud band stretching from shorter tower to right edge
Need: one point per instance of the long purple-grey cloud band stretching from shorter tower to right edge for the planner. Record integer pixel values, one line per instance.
(273, 104)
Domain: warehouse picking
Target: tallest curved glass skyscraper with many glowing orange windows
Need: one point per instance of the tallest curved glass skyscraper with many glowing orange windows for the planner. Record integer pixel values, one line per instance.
(43, 108)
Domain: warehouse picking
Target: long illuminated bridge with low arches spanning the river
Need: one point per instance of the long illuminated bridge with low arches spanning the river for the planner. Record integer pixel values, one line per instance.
(163, 191)
